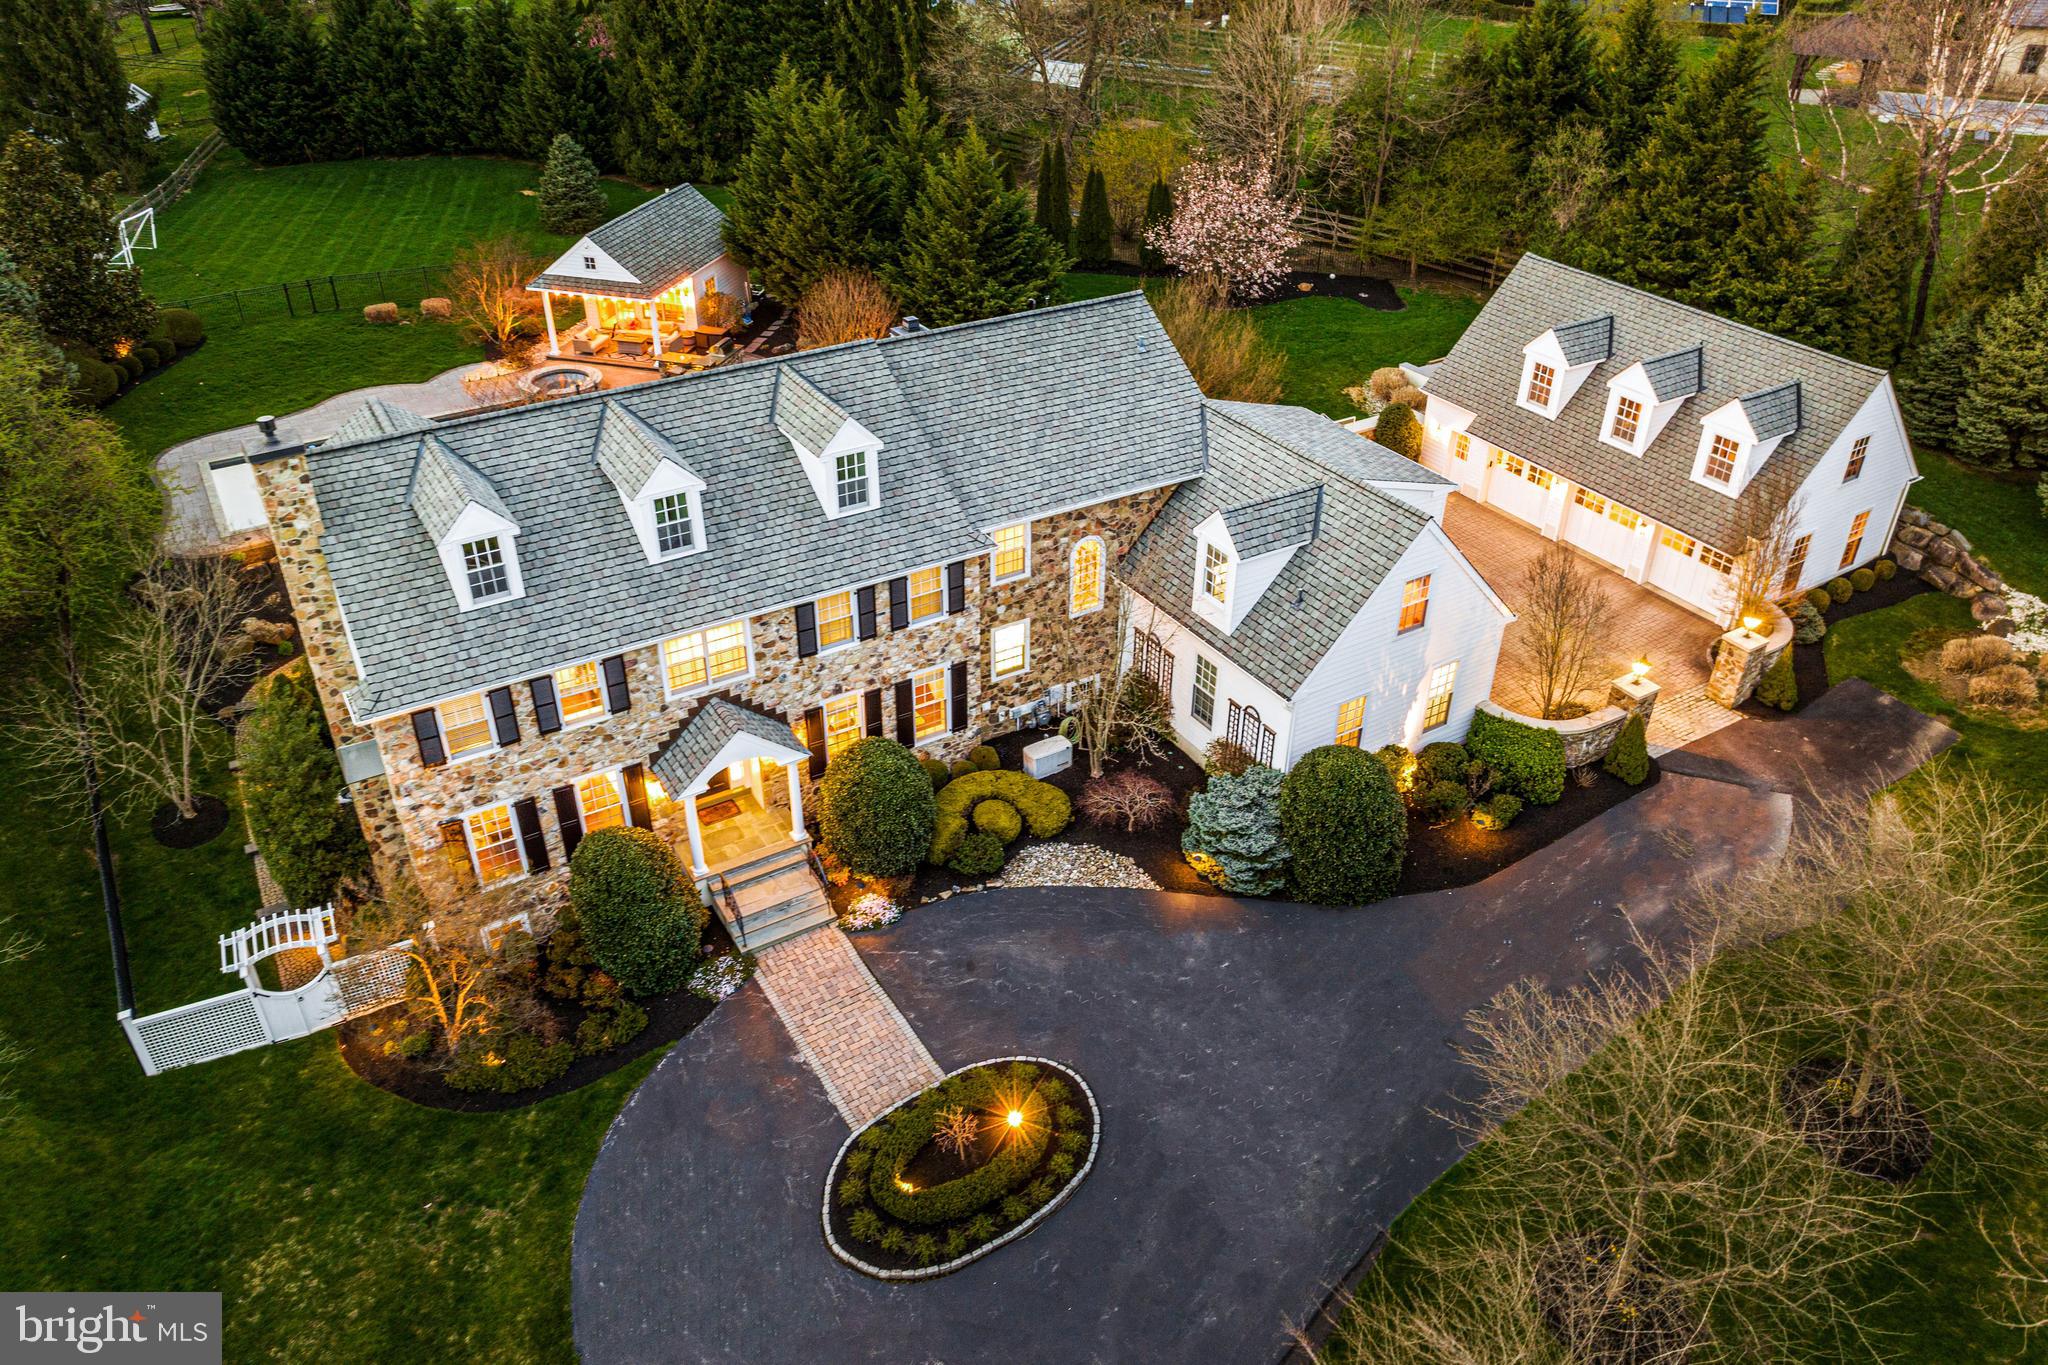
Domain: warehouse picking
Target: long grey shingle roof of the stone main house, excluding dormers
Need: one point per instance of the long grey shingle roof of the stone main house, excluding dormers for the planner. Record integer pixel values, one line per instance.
(982, 425)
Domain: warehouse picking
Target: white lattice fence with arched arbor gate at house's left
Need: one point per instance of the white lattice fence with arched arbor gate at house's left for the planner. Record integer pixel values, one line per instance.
(255, 1016)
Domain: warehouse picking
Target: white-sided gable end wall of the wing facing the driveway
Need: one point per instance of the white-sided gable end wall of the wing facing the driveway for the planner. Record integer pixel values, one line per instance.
(1394, 670)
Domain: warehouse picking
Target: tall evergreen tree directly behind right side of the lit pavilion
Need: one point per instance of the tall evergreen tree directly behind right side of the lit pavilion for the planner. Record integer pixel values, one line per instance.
(810, 191)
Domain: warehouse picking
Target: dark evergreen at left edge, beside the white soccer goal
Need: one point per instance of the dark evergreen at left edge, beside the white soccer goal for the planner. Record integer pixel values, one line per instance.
(62, 234)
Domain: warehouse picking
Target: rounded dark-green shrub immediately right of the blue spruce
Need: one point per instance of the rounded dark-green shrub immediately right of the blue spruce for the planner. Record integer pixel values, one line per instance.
(1345, 826)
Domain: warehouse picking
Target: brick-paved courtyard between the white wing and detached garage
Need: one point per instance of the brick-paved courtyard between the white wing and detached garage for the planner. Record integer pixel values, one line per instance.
(1646, 625)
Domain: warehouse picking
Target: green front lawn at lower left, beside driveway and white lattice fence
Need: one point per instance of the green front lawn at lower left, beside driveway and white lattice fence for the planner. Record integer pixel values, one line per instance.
(323, 1208)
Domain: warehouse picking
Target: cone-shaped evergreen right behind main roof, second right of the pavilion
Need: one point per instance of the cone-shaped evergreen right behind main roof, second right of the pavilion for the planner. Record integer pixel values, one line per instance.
(970, 247)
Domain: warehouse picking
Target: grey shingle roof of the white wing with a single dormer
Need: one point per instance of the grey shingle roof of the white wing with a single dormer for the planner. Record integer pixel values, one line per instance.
(1324, 584)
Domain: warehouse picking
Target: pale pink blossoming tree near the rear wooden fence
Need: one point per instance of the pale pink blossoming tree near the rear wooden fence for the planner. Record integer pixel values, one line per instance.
(1230, 226)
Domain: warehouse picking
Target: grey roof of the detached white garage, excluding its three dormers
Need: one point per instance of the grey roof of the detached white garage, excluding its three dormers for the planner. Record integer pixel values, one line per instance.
(1484, 376)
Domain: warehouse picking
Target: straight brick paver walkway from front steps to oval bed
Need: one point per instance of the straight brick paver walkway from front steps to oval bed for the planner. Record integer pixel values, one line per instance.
(845, 1024)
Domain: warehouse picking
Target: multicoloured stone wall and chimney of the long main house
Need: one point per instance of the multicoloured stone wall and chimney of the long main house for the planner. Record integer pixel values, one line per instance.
(402, 813)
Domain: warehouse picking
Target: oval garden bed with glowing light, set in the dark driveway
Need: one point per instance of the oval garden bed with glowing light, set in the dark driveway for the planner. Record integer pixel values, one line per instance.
(962, 1170)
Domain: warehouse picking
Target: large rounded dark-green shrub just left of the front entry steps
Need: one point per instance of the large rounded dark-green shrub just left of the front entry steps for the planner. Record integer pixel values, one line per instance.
(638, 908)
